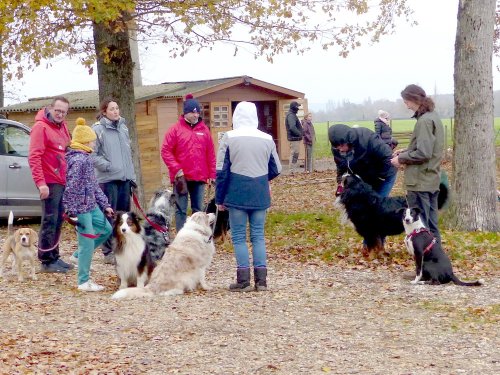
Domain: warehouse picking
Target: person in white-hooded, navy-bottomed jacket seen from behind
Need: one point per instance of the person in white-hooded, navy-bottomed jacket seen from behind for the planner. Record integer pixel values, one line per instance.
(246, 161)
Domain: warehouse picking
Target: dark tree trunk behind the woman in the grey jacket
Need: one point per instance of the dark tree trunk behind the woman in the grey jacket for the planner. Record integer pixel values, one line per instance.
(115, 72)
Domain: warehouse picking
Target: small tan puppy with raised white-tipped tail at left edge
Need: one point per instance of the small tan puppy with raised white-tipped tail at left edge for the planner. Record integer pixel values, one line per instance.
(22, 245)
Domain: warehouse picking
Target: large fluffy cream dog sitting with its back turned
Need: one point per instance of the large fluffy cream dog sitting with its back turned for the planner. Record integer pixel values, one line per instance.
(184, 264)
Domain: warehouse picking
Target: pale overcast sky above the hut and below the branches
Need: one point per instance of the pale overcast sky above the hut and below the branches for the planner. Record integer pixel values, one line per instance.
(421, 54)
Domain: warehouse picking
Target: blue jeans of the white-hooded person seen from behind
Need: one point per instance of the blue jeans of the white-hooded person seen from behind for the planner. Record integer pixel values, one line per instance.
(238, 221)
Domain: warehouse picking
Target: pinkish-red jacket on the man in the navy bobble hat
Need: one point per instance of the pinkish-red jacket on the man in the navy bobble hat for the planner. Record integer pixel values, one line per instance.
(190, 149)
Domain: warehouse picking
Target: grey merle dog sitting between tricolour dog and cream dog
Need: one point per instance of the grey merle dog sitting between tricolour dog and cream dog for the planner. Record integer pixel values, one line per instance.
(158, 223)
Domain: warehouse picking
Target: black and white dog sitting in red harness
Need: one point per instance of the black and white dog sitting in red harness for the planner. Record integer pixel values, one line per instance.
(432, 264)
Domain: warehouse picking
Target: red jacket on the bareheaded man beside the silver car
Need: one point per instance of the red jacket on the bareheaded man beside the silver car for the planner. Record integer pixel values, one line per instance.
(48, 142)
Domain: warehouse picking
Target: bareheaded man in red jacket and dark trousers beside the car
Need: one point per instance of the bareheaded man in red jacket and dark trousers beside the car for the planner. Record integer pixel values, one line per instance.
(48, 141)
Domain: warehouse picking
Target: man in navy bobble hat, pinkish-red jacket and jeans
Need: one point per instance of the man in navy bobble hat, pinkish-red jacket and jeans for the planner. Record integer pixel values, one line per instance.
(188, 152)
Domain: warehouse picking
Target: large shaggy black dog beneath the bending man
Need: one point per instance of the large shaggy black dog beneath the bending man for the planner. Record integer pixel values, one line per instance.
(374, 217)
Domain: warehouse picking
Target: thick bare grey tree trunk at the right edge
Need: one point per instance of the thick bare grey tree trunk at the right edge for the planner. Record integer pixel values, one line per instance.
(474, 169)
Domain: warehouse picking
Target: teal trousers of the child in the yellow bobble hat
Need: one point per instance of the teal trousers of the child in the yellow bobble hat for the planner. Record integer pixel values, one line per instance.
(93, 222)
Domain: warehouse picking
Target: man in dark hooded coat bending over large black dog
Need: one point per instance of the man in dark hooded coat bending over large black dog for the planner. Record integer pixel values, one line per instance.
(362, 152)
